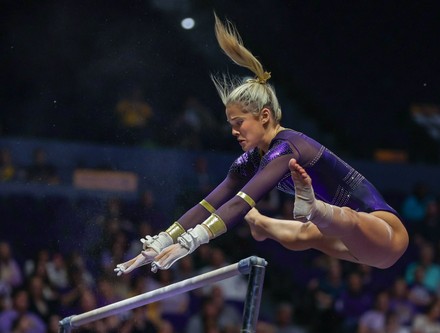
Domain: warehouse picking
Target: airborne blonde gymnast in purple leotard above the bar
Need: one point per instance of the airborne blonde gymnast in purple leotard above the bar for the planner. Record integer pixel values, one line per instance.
(336, 210)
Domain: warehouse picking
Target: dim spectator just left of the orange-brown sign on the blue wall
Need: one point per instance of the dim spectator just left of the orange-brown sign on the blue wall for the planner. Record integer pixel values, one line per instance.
(41, 170)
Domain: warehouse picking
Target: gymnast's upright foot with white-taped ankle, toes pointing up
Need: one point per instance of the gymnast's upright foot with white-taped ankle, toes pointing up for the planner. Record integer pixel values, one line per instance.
(305, 201)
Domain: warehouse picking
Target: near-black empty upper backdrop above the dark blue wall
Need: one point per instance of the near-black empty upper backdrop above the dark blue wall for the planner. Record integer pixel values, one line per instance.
(352, 69)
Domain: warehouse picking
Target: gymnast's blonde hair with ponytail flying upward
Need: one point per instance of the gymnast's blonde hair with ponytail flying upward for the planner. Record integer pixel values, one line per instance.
(253, 94)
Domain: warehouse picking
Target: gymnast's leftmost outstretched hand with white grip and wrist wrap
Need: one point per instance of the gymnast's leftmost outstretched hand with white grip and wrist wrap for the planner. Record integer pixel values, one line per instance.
(151, 247)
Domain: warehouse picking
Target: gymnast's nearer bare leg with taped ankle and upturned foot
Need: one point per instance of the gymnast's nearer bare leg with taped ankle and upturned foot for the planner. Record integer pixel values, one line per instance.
(377, 239)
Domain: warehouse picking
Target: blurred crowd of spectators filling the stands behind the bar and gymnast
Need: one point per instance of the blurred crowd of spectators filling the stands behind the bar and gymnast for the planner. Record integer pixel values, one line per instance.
(57, 257)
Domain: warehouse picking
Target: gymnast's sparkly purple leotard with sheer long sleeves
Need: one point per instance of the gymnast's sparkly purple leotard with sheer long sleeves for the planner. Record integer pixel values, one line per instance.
(334, 181)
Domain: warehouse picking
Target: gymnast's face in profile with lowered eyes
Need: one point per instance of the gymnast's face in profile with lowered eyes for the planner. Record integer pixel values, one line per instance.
(248, 129)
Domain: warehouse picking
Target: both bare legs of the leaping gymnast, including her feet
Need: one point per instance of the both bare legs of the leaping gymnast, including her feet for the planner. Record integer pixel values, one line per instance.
(377, 239)
